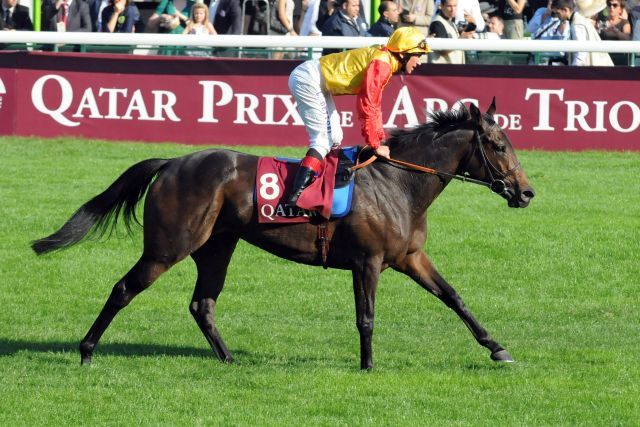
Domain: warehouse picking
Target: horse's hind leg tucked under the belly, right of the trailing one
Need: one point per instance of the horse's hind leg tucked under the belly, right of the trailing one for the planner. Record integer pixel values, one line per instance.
(212, 261)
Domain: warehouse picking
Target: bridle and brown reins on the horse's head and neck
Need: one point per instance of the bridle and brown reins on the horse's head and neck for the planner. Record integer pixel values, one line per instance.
(496, 176)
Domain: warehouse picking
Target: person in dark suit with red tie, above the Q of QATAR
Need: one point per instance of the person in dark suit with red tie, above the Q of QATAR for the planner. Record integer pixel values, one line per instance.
(66, 15)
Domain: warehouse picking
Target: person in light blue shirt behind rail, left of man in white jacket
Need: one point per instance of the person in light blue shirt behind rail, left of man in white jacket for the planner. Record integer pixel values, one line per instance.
(545, 25)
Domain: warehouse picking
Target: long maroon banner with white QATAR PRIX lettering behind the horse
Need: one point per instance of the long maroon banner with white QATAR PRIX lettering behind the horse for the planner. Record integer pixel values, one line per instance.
(247, 102)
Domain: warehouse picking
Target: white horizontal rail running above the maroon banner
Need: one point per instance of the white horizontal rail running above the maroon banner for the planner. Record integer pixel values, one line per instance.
(251, 41)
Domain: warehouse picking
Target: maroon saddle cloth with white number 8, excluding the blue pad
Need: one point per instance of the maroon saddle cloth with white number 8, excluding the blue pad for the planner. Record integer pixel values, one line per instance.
(274, 179)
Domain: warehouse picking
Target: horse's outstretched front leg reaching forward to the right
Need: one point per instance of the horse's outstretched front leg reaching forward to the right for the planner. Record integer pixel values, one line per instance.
(418, 266)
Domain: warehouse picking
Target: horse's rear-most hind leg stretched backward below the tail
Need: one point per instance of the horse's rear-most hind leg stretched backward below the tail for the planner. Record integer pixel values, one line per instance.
(140, 277)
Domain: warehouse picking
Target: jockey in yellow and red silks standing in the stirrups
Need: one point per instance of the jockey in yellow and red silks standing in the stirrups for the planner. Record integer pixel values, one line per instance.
(363, 72)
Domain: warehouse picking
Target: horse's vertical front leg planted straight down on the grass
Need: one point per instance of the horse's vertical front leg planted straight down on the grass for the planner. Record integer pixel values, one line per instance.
(365, 283)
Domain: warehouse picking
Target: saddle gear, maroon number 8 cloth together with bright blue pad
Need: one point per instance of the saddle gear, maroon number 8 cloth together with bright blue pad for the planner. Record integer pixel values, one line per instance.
(329, 196)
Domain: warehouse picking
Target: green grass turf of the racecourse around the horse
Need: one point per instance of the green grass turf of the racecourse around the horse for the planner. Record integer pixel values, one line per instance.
(557, 284)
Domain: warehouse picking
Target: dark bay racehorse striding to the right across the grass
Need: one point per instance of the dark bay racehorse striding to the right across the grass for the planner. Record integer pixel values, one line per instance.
(201, 204)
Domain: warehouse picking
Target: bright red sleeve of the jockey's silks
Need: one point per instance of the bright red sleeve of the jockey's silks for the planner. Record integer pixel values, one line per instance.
(369, 102)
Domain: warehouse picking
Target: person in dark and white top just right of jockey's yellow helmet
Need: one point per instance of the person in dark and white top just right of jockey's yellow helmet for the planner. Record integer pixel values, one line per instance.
(444, 26)
